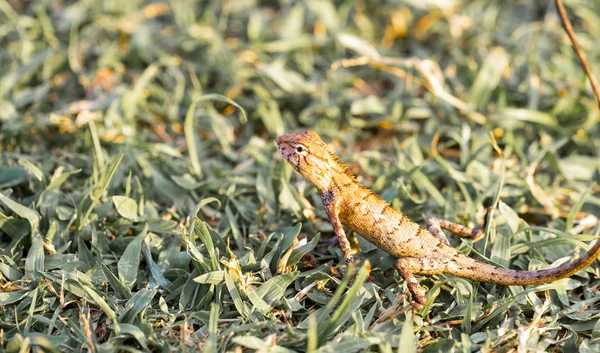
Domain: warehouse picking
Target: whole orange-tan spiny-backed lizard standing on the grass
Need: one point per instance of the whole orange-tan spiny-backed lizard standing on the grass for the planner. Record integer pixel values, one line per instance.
(349, 203)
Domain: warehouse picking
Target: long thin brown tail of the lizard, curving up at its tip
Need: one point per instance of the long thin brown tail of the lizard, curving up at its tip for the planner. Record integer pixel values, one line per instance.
(473, 269)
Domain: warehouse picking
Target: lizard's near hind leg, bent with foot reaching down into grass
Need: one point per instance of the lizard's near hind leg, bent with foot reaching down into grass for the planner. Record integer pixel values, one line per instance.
(409, 266)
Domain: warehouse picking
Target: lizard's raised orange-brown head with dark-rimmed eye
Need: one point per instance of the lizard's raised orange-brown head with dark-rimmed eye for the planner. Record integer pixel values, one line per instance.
(309, 156)
